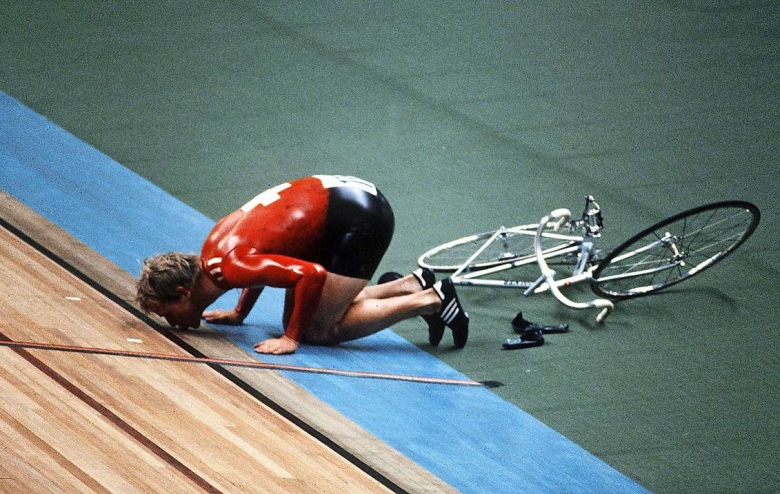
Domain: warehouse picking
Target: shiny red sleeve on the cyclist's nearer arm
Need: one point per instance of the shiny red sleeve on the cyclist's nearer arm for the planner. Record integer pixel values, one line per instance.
(245, 268)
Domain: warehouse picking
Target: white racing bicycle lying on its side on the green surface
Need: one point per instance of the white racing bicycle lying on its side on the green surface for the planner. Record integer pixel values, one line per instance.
(657, 257)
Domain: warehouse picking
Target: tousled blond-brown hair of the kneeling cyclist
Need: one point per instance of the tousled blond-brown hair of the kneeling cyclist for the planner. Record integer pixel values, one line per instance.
(162, 274)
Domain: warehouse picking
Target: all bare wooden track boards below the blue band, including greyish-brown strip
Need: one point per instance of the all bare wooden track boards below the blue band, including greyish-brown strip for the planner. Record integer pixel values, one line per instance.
(79, 422)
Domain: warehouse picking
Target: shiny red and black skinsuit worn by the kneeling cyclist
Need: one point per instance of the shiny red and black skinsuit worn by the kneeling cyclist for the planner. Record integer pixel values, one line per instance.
(292, 235)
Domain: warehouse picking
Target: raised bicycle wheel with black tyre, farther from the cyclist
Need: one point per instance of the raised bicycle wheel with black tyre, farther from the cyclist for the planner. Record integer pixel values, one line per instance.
(675, 249)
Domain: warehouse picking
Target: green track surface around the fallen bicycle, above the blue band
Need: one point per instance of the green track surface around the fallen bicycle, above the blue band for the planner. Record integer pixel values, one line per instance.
(469, 116)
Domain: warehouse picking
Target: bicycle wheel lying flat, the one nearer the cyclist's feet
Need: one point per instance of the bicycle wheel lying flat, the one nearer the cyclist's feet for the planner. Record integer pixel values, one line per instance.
(511, 246)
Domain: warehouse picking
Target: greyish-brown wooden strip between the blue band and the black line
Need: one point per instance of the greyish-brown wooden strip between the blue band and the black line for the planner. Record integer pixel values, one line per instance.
(363, 449)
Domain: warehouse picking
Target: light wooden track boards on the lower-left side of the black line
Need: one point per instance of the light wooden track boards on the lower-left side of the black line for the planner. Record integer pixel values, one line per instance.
(86, 422)
